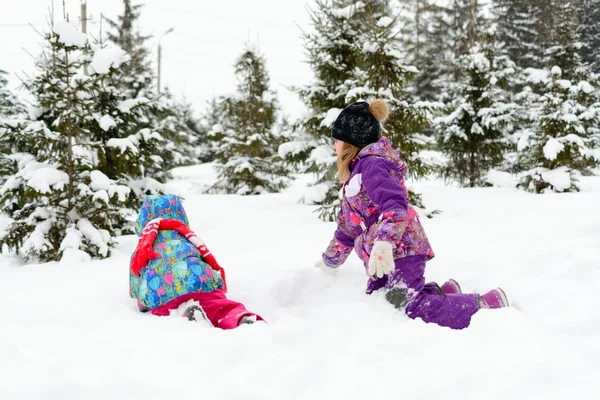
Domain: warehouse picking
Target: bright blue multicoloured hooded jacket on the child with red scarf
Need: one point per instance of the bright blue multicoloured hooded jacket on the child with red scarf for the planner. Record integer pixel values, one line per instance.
(179, 269)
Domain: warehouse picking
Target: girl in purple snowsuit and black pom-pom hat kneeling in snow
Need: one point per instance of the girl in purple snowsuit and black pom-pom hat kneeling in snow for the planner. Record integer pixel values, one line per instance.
(376, 220)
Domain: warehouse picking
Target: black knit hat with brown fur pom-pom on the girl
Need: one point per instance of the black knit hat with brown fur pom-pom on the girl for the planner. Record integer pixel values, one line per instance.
(357, 123)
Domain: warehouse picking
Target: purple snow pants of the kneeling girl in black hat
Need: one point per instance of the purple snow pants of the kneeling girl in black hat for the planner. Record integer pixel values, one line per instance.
(426, 300)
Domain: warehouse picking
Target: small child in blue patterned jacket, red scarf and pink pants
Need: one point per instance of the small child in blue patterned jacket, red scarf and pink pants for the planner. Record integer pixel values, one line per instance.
(172, 270)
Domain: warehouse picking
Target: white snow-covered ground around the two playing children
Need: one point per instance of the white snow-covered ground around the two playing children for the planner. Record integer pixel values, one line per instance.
(72, 332)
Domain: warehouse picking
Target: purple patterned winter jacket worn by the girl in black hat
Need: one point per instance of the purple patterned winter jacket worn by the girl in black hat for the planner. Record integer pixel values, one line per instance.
(375, 207)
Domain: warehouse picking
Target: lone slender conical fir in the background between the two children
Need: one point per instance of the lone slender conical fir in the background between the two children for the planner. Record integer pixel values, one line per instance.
(247, 159)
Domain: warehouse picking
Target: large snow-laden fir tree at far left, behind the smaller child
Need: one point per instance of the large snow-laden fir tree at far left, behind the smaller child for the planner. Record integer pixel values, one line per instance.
(58, 200)
